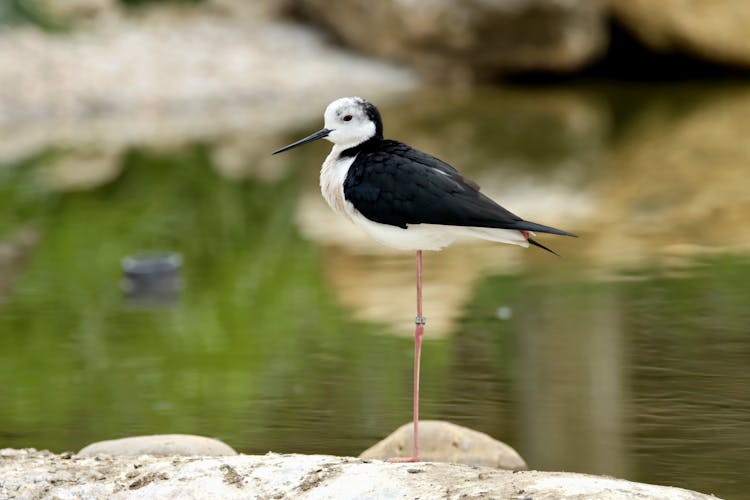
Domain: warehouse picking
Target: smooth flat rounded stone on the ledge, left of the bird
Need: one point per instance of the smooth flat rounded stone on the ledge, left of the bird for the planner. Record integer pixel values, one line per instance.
(159, 444)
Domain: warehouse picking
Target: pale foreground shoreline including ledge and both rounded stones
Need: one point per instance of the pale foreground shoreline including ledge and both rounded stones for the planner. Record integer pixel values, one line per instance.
(458, 463)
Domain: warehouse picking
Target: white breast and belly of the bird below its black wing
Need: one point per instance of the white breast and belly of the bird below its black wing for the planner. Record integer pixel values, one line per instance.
(415, 236)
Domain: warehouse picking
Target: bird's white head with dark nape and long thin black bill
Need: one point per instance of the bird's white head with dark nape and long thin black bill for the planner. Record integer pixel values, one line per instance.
(349, 121)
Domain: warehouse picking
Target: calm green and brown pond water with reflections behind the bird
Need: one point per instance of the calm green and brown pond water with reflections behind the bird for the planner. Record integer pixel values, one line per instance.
(292, 333)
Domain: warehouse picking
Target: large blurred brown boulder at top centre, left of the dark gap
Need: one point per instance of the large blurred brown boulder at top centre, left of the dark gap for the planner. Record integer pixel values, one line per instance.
(470, 39)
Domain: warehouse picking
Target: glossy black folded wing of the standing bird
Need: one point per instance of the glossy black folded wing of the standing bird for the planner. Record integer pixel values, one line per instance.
(392, 183)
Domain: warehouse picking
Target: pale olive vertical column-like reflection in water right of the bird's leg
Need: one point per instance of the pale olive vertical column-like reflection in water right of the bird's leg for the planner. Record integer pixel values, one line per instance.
(576, 340)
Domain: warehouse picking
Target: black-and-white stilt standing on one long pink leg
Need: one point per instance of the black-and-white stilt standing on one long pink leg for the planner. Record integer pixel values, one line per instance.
(408, 200)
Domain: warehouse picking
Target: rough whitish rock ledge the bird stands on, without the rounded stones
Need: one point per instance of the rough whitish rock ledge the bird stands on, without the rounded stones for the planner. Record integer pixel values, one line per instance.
(33, 474)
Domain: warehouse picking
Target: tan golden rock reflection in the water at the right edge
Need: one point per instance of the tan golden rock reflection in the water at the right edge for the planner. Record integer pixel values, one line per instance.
(676, 182)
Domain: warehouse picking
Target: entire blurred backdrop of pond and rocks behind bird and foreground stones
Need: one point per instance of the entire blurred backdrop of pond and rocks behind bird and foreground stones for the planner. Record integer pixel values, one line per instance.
(146, 126)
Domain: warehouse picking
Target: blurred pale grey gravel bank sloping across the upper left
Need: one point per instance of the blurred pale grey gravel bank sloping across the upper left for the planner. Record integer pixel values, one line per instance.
(126, 81)
